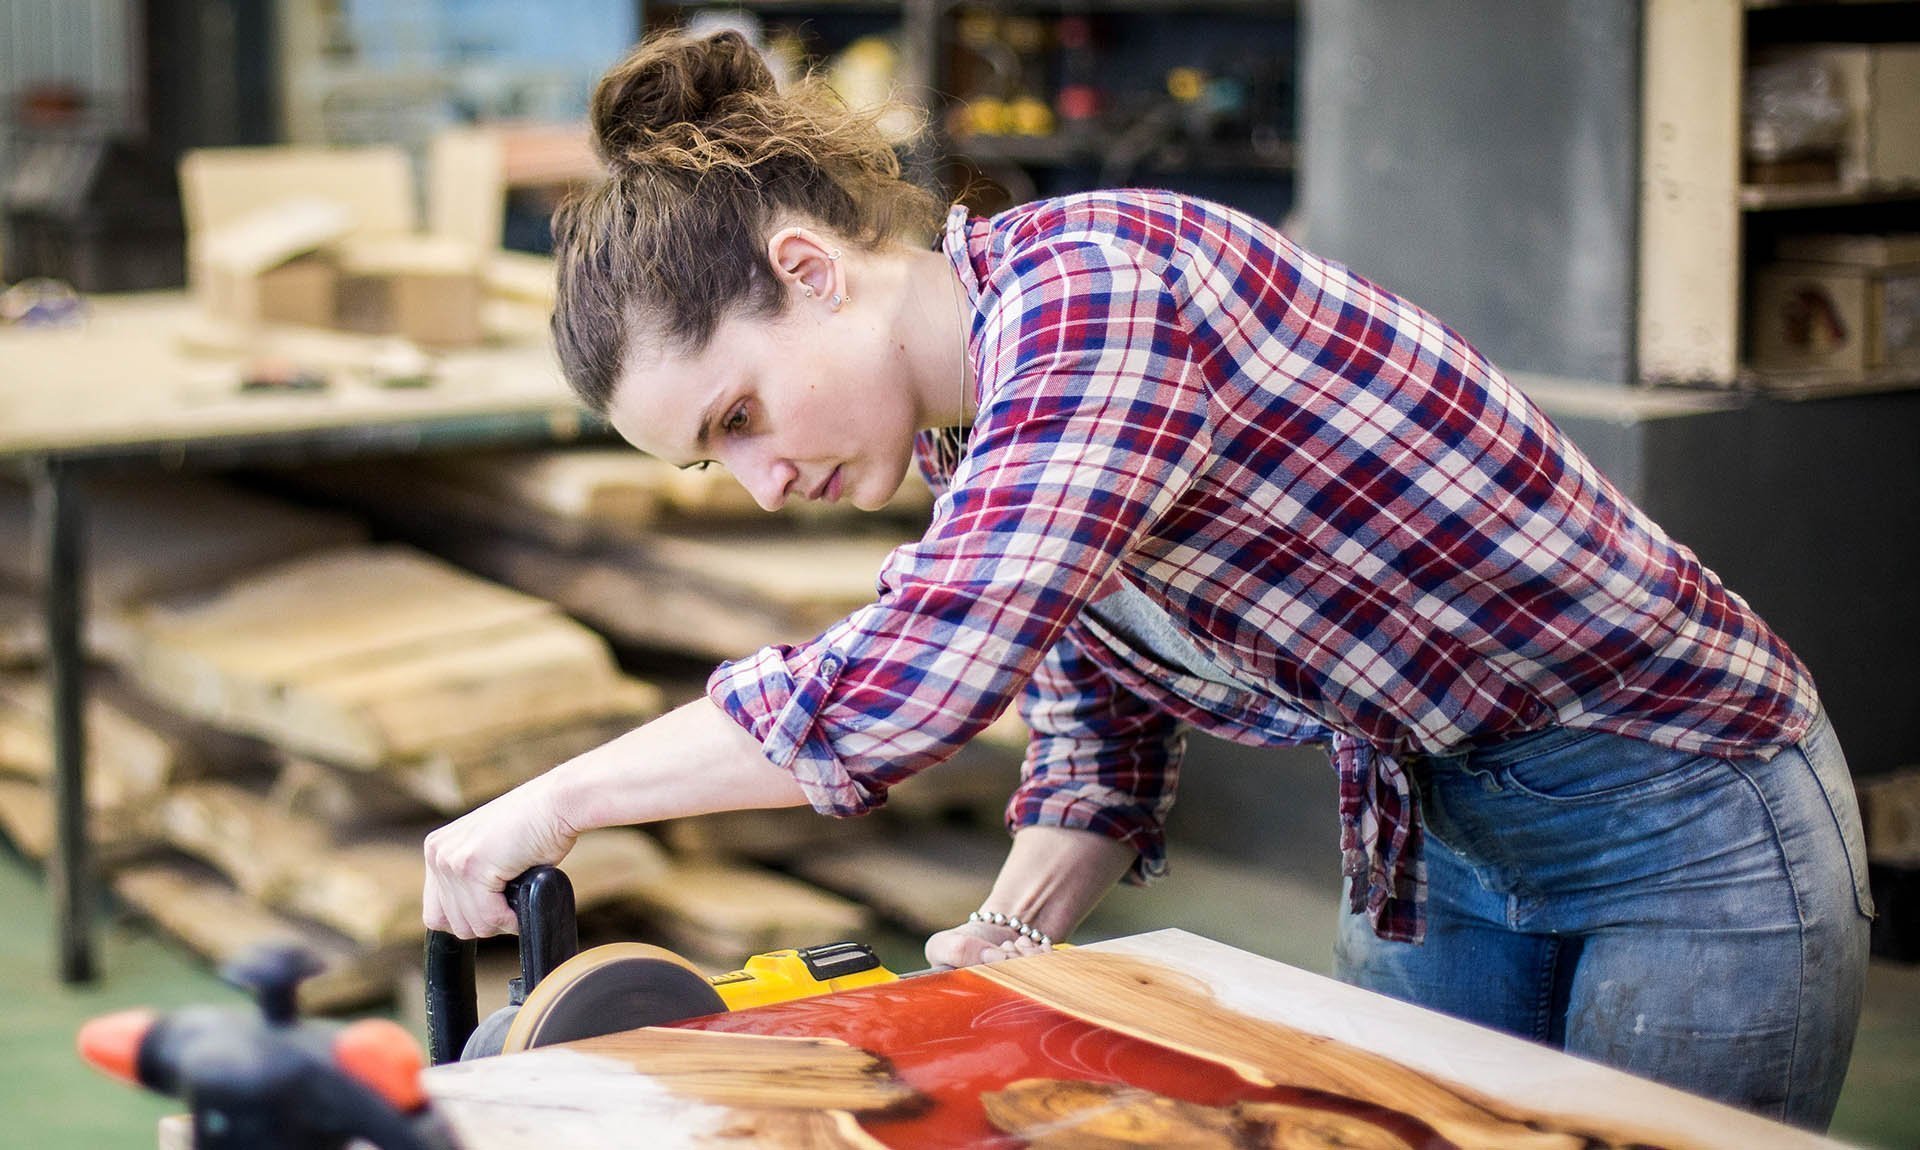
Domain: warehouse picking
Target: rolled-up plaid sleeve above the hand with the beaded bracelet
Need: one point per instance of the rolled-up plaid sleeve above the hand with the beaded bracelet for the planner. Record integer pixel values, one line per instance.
(1101, 759)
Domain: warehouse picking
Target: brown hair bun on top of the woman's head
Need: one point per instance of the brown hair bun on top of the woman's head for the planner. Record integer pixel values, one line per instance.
(669, 82)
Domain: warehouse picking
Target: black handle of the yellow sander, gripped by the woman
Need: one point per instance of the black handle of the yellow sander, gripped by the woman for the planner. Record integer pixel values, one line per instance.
(550, 934)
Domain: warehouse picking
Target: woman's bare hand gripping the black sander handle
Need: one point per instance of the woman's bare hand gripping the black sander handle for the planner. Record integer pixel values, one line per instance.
(471, 859)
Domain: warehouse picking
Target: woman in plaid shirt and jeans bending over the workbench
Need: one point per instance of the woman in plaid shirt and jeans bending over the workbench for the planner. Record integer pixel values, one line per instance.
(1207, 481)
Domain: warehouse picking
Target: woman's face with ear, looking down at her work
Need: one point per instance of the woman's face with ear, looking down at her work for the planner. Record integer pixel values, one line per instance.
(815, 404)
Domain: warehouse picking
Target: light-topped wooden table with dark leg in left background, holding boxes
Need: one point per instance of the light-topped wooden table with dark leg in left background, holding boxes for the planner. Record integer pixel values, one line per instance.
(124, 391)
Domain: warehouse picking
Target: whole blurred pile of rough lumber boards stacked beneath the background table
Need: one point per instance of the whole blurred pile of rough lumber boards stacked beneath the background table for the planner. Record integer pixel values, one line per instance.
(291, 709)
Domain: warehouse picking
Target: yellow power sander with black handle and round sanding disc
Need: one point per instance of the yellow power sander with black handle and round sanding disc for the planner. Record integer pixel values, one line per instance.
(565, 994)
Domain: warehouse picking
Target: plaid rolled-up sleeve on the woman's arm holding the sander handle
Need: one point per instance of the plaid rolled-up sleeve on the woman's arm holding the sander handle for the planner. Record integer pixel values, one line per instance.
(1092, 427)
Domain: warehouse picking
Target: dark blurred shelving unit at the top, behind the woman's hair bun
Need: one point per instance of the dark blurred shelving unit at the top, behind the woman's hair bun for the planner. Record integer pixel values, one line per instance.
(1072, 156)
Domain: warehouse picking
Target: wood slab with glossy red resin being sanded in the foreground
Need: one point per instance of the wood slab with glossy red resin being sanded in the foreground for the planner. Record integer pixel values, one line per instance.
(1161, 1040)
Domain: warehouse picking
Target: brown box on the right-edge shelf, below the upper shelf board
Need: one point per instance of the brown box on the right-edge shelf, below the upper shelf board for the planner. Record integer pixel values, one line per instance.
(1836, 318)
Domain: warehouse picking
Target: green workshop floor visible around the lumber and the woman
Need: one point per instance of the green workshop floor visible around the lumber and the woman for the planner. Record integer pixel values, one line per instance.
(53, 1103)
